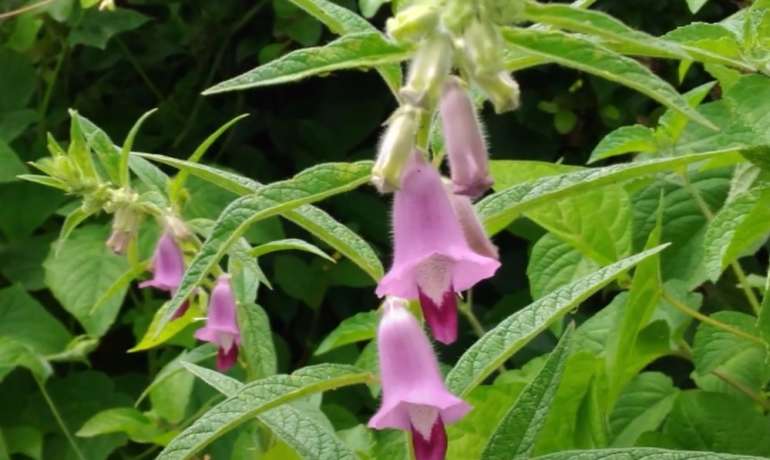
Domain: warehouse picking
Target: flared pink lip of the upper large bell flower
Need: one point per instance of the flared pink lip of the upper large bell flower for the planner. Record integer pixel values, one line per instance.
(469, 269)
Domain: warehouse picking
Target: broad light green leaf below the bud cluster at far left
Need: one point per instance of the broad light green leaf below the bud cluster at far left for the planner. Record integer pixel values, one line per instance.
(81, 271)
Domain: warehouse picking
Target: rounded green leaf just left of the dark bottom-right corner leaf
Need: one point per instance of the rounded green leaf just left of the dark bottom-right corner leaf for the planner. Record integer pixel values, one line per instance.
(642, 406)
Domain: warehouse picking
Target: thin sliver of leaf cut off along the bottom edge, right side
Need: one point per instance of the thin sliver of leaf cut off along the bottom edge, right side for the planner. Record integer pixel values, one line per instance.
(642, 453)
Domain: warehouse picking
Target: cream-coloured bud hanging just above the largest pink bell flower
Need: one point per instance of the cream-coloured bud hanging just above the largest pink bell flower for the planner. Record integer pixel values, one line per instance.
(395, 148)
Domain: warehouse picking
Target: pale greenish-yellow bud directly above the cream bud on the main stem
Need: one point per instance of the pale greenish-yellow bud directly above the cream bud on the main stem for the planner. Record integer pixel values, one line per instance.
(430, 65)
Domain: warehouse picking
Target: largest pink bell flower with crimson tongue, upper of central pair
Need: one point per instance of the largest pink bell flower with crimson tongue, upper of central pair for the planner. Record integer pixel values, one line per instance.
(432, 259)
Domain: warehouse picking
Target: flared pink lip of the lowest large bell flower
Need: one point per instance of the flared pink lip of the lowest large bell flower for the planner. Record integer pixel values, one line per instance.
(395, 413)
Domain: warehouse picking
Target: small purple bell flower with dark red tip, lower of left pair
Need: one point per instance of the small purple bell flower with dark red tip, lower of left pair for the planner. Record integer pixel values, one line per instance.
(221, 324)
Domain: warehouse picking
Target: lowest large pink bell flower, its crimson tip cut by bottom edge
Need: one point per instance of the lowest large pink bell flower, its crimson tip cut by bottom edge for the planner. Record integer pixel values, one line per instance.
(414, 397)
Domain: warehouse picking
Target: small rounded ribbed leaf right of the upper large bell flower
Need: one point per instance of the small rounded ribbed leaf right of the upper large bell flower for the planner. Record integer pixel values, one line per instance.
(553, 263)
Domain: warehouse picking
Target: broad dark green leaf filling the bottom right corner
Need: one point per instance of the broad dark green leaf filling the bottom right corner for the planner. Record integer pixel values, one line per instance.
(706, 421)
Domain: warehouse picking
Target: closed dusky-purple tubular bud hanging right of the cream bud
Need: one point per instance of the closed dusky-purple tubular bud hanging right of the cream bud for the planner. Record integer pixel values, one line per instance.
(464, 141)
